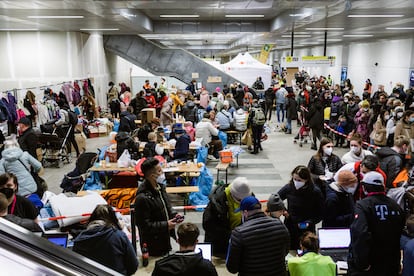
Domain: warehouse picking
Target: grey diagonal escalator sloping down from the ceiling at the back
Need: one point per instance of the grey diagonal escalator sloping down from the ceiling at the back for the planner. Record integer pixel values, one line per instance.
(162, 61)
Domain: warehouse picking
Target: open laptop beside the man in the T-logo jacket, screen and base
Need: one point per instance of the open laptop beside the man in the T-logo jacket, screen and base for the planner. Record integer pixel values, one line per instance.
(334, 242)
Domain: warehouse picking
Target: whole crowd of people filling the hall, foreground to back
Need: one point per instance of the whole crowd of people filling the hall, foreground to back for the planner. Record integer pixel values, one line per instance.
(348, 191)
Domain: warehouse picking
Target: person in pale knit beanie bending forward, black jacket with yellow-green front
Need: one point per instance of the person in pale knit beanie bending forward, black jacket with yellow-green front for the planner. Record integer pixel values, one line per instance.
(219, 218)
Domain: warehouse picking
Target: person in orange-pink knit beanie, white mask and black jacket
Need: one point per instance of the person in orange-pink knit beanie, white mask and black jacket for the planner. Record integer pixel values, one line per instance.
(339, 203)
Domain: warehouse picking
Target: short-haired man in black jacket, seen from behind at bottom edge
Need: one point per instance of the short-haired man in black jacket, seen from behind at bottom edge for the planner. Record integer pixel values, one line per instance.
(185, 262)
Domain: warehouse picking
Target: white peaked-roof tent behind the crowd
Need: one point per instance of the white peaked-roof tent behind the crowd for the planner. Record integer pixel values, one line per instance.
(246, 69)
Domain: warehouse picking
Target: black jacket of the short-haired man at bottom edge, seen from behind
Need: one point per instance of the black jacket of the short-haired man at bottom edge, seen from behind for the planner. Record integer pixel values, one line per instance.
(180, 263)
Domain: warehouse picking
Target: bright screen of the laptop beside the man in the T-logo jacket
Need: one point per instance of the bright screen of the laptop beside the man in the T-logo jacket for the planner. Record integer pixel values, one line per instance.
(334, 238)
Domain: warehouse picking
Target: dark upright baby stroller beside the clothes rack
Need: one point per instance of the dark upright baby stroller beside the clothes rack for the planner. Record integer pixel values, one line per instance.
(54, 144)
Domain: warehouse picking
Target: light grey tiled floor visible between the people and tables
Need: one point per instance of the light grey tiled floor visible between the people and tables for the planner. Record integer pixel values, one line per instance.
(267, 172)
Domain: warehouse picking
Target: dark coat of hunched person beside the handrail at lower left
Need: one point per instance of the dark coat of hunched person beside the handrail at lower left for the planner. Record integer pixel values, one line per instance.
(108, 246)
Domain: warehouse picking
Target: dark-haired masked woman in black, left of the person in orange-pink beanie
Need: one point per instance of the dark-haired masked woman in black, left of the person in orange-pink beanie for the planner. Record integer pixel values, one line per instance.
(305, 205)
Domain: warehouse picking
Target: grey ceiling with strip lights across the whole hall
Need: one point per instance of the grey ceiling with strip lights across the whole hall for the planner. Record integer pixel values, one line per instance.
(213, 32)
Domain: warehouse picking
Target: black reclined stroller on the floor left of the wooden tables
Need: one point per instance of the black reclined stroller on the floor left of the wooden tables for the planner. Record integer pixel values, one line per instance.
(73, 181)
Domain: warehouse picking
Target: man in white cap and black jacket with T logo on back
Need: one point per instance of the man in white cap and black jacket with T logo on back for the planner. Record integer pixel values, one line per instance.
(375, 231)
